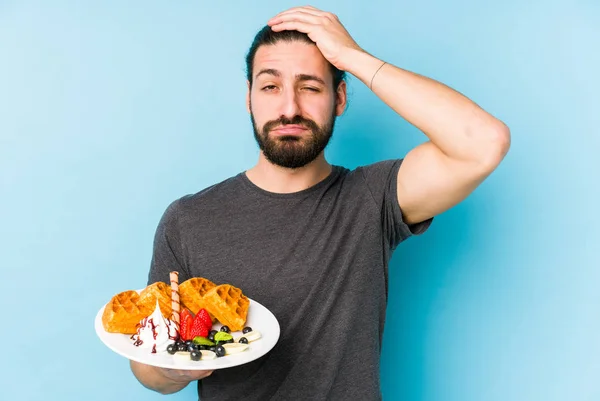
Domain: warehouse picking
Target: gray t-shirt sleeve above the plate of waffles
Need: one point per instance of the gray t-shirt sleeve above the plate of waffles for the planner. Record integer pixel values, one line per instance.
(167, 254)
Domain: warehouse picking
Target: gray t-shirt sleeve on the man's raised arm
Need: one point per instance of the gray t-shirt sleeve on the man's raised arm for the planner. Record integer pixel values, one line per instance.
(382, 180)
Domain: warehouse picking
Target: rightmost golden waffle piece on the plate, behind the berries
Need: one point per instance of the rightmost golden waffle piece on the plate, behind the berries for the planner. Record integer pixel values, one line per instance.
(228, 304)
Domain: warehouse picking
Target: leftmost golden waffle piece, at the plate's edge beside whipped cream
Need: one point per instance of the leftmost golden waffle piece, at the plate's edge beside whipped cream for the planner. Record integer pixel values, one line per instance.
(122, 314)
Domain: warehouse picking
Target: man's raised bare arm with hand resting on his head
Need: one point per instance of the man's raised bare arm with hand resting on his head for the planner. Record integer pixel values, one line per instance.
(465, 143)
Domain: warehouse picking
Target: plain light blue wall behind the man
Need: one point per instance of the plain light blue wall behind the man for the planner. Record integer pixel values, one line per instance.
(110, 111)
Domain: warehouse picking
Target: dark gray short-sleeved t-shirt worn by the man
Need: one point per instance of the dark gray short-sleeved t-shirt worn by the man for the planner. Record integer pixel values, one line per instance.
(317, 259)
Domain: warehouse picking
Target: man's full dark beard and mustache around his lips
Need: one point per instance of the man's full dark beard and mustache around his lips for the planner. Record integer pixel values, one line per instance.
(293, 151)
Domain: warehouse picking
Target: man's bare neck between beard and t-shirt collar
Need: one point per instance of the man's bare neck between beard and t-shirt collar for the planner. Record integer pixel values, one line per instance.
(278, 179)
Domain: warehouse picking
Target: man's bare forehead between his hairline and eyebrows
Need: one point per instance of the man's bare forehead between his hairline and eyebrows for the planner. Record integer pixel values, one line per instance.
(290, 58)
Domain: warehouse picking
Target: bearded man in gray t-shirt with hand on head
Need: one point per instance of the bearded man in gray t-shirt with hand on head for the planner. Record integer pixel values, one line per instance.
(309, 240)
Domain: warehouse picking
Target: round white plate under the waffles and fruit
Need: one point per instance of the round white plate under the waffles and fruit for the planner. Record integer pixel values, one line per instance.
(259, 318)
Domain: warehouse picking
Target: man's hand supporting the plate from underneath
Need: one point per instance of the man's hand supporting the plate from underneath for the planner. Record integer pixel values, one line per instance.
(165, 381)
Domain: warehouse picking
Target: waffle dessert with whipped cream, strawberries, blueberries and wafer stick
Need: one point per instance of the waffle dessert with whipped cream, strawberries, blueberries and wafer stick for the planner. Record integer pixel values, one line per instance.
(179, 319)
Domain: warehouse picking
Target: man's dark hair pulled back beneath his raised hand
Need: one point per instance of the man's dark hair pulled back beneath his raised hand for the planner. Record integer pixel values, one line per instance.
(266, 36)
